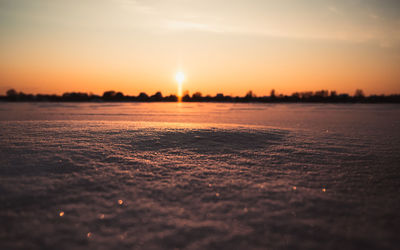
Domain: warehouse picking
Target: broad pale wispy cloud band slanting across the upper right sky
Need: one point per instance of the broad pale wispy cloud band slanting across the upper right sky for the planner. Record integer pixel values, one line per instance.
(184, 17)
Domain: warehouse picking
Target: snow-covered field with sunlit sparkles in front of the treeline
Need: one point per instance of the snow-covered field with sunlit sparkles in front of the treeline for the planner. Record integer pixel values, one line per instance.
(199, 176)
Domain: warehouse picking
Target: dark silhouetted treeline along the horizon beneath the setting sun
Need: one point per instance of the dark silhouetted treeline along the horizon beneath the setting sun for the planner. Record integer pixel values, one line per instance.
(322, 96)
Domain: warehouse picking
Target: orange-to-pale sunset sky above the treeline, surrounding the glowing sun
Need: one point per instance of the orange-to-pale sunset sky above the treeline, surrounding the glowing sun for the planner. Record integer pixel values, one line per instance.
(54, 46)
